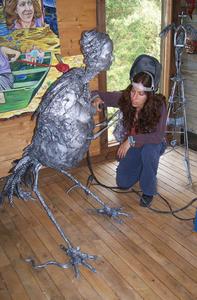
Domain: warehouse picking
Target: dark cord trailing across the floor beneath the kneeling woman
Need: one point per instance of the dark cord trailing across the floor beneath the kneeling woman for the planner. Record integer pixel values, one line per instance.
(117, 189)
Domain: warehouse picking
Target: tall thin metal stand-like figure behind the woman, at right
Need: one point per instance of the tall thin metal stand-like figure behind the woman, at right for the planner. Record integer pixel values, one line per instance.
(176, 118)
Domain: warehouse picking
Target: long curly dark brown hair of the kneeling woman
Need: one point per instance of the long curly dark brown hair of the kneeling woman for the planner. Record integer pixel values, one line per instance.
(149, 115)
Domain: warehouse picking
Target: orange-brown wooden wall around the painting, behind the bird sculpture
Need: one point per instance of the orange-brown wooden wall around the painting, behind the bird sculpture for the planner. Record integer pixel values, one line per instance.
(15, 134)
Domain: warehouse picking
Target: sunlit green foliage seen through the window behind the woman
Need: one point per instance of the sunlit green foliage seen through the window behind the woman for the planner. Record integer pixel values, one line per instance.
(134, 27)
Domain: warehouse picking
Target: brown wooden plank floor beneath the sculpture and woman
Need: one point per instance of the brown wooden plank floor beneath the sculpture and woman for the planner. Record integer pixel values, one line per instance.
(150, 256)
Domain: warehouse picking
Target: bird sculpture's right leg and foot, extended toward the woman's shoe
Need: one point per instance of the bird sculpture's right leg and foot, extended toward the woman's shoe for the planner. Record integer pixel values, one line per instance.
(113, 212)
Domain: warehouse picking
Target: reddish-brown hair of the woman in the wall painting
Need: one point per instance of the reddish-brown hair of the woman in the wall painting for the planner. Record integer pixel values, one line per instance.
(11, 15)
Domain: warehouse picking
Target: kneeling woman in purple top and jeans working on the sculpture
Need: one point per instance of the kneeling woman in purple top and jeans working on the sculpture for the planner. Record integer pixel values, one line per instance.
(142, 130)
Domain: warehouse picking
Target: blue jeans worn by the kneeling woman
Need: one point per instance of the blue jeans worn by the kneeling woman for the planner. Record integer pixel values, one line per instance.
(140, 164)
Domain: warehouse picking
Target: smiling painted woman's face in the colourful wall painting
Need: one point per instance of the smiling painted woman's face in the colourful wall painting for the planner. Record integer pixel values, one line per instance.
(25, 10)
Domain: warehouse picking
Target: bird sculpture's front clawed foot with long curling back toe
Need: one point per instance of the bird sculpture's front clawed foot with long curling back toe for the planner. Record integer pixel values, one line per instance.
(76, 258)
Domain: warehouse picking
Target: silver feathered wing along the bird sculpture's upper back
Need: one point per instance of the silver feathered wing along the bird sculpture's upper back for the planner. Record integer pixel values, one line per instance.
(64, 85)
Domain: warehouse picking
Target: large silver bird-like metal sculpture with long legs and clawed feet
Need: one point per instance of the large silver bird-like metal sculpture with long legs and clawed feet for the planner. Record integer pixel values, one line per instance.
(62, 136)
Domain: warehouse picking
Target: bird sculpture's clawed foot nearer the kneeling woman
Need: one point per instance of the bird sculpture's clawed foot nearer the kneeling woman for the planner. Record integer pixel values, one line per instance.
(112, 212)
